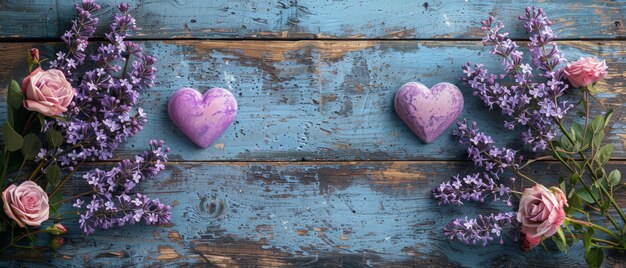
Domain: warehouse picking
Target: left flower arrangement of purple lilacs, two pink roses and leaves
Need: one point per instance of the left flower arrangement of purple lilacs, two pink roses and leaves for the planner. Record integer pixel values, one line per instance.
(79, 110)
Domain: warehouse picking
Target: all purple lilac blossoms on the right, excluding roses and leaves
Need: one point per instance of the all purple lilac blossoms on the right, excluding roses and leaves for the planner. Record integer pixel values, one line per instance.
(534, 105)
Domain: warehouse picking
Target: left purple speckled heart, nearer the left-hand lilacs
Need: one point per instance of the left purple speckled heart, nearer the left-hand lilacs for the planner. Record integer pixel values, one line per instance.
(202, 118)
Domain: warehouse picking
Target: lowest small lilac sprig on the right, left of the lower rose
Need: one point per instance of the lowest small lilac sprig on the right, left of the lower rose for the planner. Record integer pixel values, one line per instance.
(482, 229)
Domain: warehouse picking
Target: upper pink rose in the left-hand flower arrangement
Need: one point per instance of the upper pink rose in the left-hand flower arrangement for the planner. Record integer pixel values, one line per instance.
(47, 92)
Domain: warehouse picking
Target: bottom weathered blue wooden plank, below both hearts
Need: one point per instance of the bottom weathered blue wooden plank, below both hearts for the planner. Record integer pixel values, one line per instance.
(309, 214)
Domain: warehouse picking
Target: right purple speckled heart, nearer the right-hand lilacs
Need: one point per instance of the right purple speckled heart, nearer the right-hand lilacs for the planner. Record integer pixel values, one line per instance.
(428, 112)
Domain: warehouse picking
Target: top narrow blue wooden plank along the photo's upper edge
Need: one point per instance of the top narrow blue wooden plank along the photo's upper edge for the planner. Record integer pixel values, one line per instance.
(311, 19)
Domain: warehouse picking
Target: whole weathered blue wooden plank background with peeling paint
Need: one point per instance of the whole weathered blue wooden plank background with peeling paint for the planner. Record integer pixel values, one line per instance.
(317, 169)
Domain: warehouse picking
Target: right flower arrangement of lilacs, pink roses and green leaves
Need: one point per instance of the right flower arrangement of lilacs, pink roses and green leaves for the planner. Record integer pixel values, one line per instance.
(532, 98)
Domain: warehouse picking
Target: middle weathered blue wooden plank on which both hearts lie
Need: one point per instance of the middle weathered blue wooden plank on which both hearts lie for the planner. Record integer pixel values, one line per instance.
(326, 100)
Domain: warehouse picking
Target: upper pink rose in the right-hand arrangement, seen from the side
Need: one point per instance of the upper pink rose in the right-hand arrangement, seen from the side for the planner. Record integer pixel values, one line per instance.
(585, 71)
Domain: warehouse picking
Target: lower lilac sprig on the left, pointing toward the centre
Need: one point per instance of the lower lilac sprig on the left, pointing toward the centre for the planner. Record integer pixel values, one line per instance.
(111, 203)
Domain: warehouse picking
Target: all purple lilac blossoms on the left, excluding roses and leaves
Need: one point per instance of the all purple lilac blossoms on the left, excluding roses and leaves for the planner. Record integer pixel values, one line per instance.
(101, 116)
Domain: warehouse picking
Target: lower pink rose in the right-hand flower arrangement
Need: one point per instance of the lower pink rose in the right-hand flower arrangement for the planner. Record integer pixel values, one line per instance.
(541, 213)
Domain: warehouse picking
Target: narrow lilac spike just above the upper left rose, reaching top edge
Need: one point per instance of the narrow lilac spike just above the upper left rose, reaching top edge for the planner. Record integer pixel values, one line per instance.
(77, 39)
